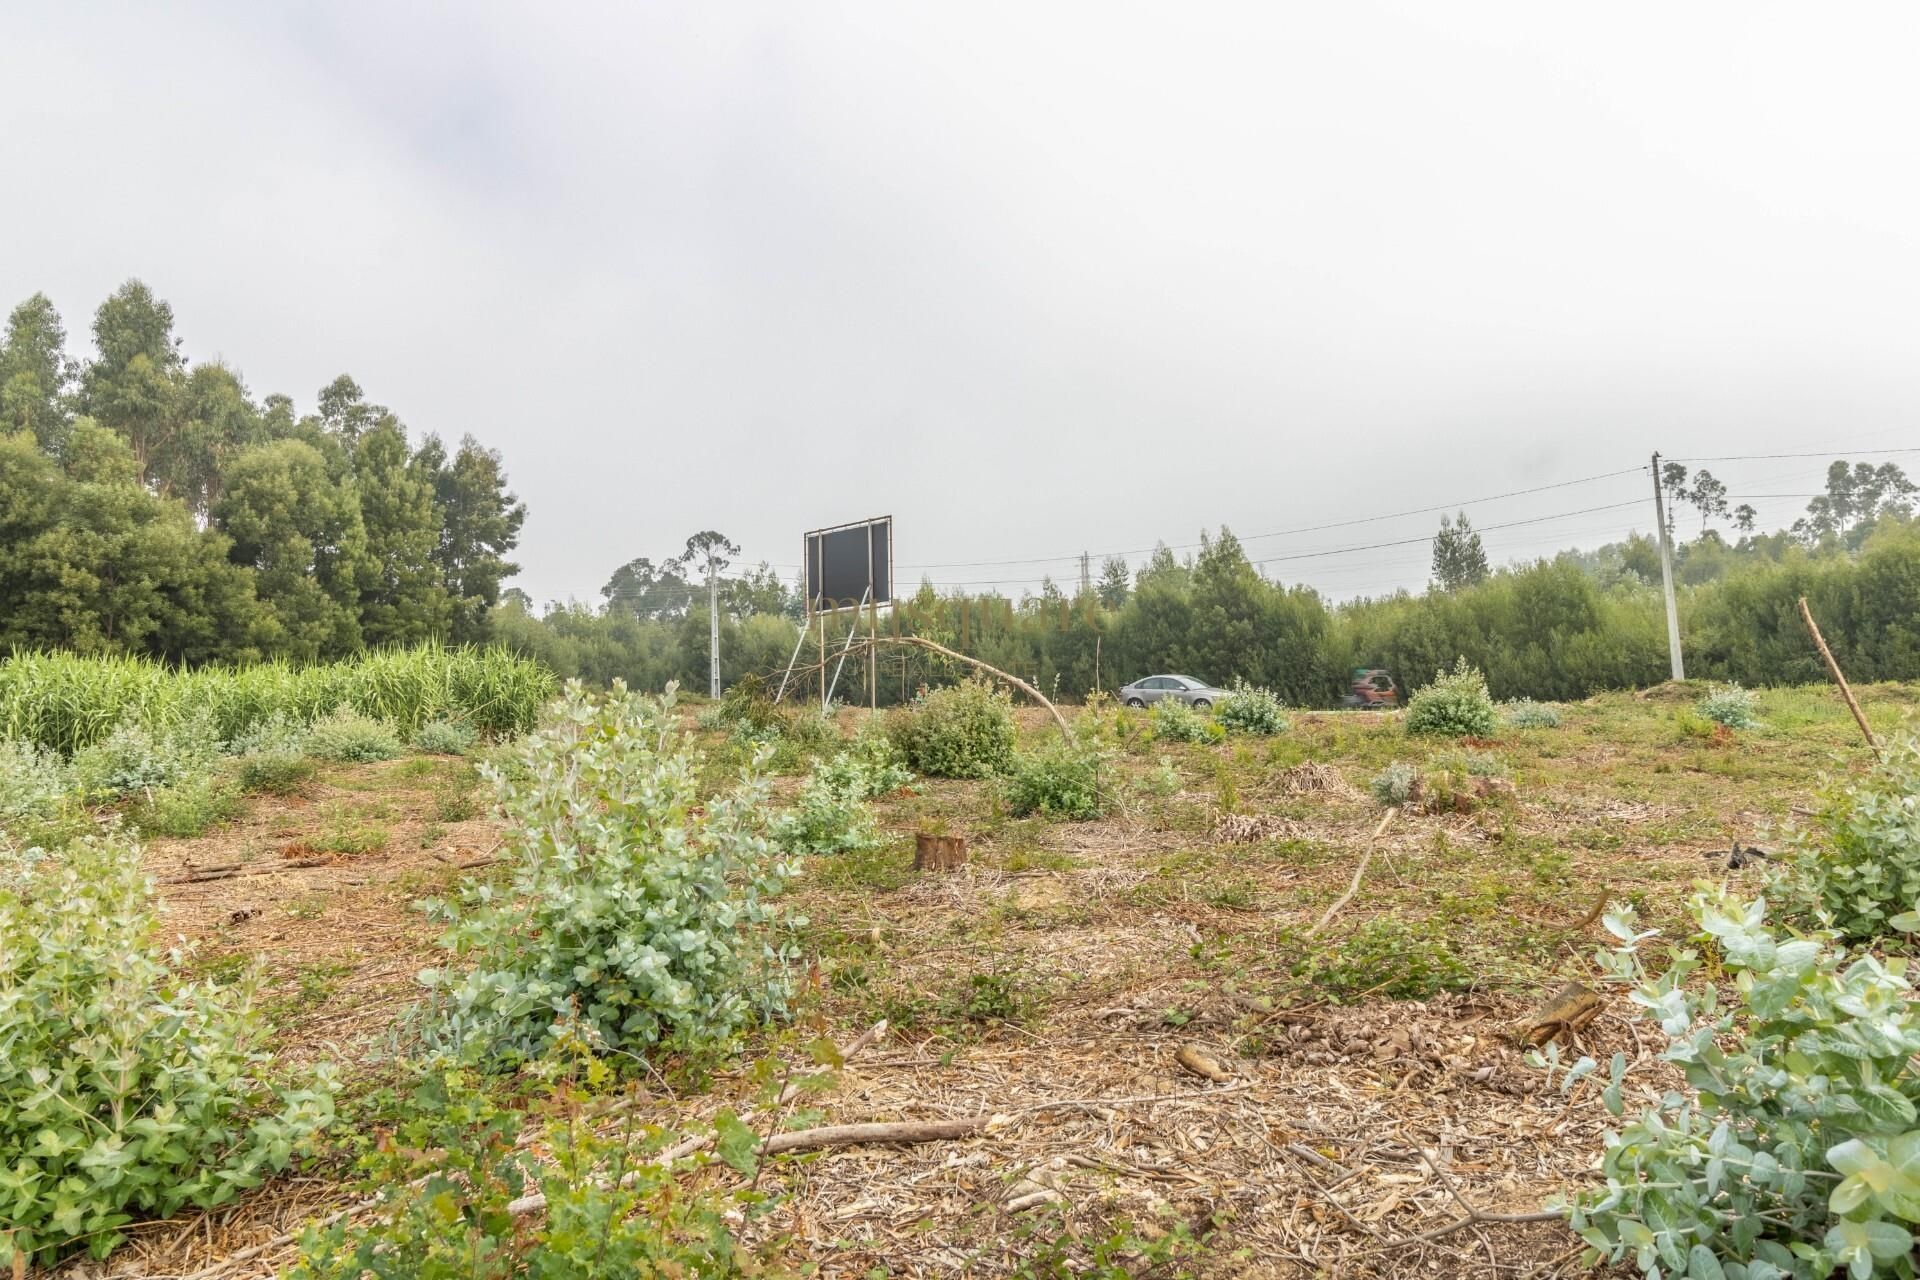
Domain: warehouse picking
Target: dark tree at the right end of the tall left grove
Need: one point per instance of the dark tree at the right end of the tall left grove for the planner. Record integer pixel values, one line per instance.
(479, 525)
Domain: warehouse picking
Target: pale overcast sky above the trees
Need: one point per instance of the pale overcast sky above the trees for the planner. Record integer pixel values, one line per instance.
(1030, 277)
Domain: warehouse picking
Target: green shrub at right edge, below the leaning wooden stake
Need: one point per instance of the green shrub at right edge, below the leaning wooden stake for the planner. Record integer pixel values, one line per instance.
(1858, 863)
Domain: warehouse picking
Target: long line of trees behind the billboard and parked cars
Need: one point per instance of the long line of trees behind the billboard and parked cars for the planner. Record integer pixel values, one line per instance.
(1556, 628)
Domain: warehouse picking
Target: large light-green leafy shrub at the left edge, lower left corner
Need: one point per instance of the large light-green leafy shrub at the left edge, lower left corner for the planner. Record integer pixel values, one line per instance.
(124, 1091)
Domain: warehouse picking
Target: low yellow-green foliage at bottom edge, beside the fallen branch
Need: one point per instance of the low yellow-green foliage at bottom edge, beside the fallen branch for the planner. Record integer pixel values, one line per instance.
(446, 1179)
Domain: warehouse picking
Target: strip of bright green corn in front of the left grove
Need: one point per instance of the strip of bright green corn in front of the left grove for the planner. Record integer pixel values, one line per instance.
(68, 703)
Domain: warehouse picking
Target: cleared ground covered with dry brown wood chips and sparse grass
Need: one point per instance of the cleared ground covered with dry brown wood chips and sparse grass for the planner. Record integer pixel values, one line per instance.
(1362, 1112)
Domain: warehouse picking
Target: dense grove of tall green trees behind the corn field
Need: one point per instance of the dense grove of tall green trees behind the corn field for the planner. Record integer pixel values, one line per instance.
(153, 506)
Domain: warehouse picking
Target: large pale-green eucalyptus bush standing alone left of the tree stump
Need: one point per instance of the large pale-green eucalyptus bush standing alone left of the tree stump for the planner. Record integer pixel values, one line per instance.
(636, 905)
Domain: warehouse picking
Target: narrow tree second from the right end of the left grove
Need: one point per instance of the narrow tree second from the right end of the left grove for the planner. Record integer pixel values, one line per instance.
(404, 600)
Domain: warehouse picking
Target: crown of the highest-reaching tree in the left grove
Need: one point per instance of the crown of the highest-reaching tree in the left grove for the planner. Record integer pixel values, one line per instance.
(137, 383)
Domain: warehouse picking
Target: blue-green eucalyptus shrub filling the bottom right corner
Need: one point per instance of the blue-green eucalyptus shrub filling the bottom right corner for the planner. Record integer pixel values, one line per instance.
(1796, 1150)
